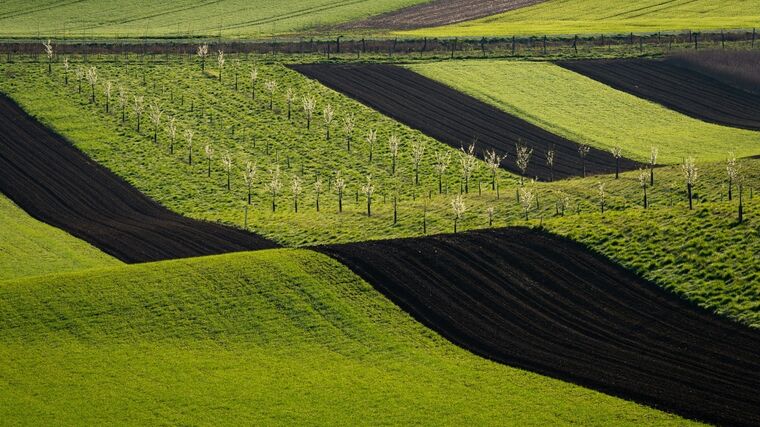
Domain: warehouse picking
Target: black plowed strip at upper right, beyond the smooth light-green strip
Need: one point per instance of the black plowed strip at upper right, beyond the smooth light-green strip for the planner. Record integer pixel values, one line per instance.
(686, 91)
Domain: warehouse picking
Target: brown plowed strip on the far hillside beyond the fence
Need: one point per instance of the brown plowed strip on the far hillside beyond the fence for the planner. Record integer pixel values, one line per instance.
(437, 12)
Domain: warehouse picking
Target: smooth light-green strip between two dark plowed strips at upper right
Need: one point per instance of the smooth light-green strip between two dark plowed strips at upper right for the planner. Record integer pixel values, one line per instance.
(584, 110)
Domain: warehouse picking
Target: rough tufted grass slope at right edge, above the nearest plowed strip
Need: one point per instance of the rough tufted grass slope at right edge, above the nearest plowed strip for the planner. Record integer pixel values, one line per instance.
(703, 255)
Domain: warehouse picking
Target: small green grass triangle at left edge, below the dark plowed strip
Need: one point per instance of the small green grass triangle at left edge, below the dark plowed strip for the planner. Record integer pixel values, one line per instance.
(29, 247)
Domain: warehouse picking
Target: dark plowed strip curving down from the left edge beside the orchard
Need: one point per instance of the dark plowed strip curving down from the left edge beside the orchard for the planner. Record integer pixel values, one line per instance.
(57, 184)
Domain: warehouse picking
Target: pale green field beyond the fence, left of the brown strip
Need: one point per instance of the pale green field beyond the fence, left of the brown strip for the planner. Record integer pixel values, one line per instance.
(180, 18)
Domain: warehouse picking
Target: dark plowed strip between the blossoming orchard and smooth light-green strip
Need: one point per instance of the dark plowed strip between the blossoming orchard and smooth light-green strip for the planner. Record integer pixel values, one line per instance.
(455, 118)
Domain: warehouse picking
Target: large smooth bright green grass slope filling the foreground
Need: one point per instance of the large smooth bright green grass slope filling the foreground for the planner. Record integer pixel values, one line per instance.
(271, 337)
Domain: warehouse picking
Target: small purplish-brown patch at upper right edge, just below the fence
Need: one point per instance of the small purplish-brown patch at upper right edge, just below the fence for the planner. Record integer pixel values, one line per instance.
(738, 68)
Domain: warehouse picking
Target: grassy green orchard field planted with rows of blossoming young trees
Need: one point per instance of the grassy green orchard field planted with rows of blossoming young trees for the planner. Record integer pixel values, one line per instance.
(186, 189)
